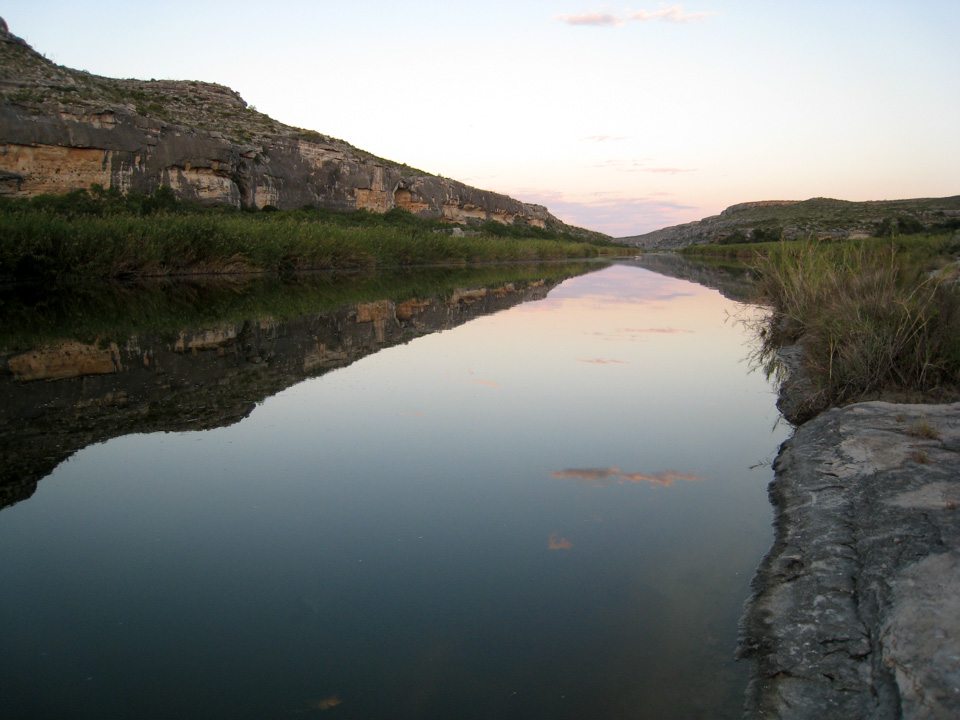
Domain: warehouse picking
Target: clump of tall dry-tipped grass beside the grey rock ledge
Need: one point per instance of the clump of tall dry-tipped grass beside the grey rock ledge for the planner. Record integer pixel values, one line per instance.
(870, 319)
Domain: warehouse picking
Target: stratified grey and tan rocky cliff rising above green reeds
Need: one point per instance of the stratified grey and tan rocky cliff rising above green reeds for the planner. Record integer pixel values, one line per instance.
(64, 129)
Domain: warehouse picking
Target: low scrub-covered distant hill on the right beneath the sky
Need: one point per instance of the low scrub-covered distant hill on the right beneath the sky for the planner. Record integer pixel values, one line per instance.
(817, 217)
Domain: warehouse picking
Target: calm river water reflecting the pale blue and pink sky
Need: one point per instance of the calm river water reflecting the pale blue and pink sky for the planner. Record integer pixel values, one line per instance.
(547, 512)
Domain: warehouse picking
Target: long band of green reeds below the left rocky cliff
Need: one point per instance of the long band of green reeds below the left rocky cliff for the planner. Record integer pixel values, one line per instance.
(104, 234)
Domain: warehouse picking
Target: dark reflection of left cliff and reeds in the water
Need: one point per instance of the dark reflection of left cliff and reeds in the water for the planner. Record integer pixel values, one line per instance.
(84, 365)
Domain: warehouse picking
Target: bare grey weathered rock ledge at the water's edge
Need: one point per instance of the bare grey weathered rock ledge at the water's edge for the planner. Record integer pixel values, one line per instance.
(855, 612)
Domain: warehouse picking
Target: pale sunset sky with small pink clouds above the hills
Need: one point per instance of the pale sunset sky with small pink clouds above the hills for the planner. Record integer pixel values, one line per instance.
(618, 118)
